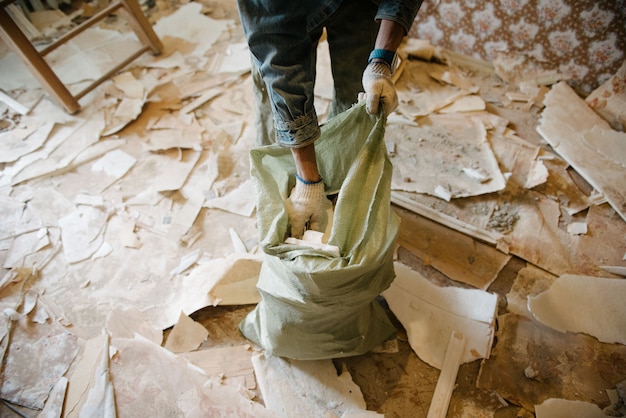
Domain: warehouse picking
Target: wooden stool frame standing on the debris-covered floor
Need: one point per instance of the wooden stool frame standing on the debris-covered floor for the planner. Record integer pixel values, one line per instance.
(35, 62)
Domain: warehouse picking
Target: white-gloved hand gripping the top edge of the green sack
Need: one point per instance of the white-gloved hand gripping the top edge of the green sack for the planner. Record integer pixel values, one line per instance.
(379, 88)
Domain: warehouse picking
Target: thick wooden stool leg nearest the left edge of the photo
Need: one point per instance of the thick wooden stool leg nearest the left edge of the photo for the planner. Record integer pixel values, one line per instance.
(26, 52)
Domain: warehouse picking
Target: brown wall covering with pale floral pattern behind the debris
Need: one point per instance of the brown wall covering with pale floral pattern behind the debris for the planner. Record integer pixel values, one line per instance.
(585, 41)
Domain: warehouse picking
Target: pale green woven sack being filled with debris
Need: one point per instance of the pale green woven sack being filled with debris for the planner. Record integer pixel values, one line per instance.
(315, 305)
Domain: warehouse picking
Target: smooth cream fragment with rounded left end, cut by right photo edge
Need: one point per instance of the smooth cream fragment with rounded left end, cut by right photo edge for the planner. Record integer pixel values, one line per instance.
(591, 305)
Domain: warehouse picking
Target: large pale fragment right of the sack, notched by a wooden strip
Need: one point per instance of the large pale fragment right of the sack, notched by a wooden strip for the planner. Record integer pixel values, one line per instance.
(430, 314)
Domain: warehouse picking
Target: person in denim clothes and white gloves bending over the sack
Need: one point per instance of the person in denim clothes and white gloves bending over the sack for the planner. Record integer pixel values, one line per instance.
(363, 36)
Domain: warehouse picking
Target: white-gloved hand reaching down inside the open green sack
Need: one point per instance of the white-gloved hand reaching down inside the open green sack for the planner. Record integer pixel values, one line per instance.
(307, 203)
